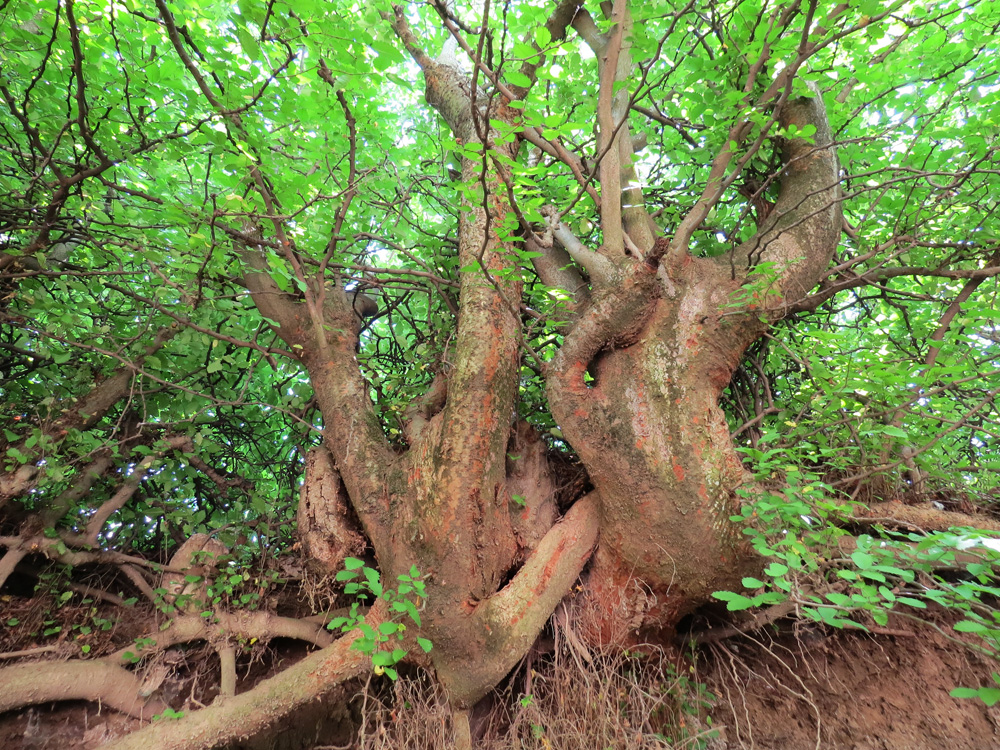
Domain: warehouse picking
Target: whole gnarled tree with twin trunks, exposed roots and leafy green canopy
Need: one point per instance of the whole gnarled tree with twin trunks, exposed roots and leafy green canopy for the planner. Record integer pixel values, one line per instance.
(519, 288)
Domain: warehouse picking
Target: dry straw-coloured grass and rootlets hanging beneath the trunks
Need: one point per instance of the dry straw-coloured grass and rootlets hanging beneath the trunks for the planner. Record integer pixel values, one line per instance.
(621, 701)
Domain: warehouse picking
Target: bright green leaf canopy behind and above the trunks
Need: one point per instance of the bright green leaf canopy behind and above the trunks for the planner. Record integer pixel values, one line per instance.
(153, 233)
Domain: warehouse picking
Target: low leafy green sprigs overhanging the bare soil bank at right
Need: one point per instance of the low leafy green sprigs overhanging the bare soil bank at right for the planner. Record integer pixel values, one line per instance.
(859, 582)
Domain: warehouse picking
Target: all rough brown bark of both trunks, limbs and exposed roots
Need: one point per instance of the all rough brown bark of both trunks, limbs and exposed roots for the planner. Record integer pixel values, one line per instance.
(652, 340)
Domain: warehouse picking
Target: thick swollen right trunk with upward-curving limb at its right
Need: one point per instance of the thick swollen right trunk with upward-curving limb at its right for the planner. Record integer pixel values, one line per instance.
(649, 427)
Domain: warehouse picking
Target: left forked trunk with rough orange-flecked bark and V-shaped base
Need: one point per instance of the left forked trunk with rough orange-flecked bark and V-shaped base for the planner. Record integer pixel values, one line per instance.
(443, 505)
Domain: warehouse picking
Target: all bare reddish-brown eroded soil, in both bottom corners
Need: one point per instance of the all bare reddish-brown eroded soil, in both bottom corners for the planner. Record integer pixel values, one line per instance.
(843, 691)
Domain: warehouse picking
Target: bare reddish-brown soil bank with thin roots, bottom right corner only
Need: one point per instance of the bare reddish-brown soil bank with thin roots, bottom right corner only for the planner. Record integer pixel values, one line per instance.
(849, 691)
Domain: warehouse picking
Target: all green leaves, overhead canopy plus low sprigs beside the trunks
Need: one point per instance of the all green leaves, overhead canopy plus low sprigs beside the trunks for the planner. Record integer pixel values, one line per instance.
(127, 195)
